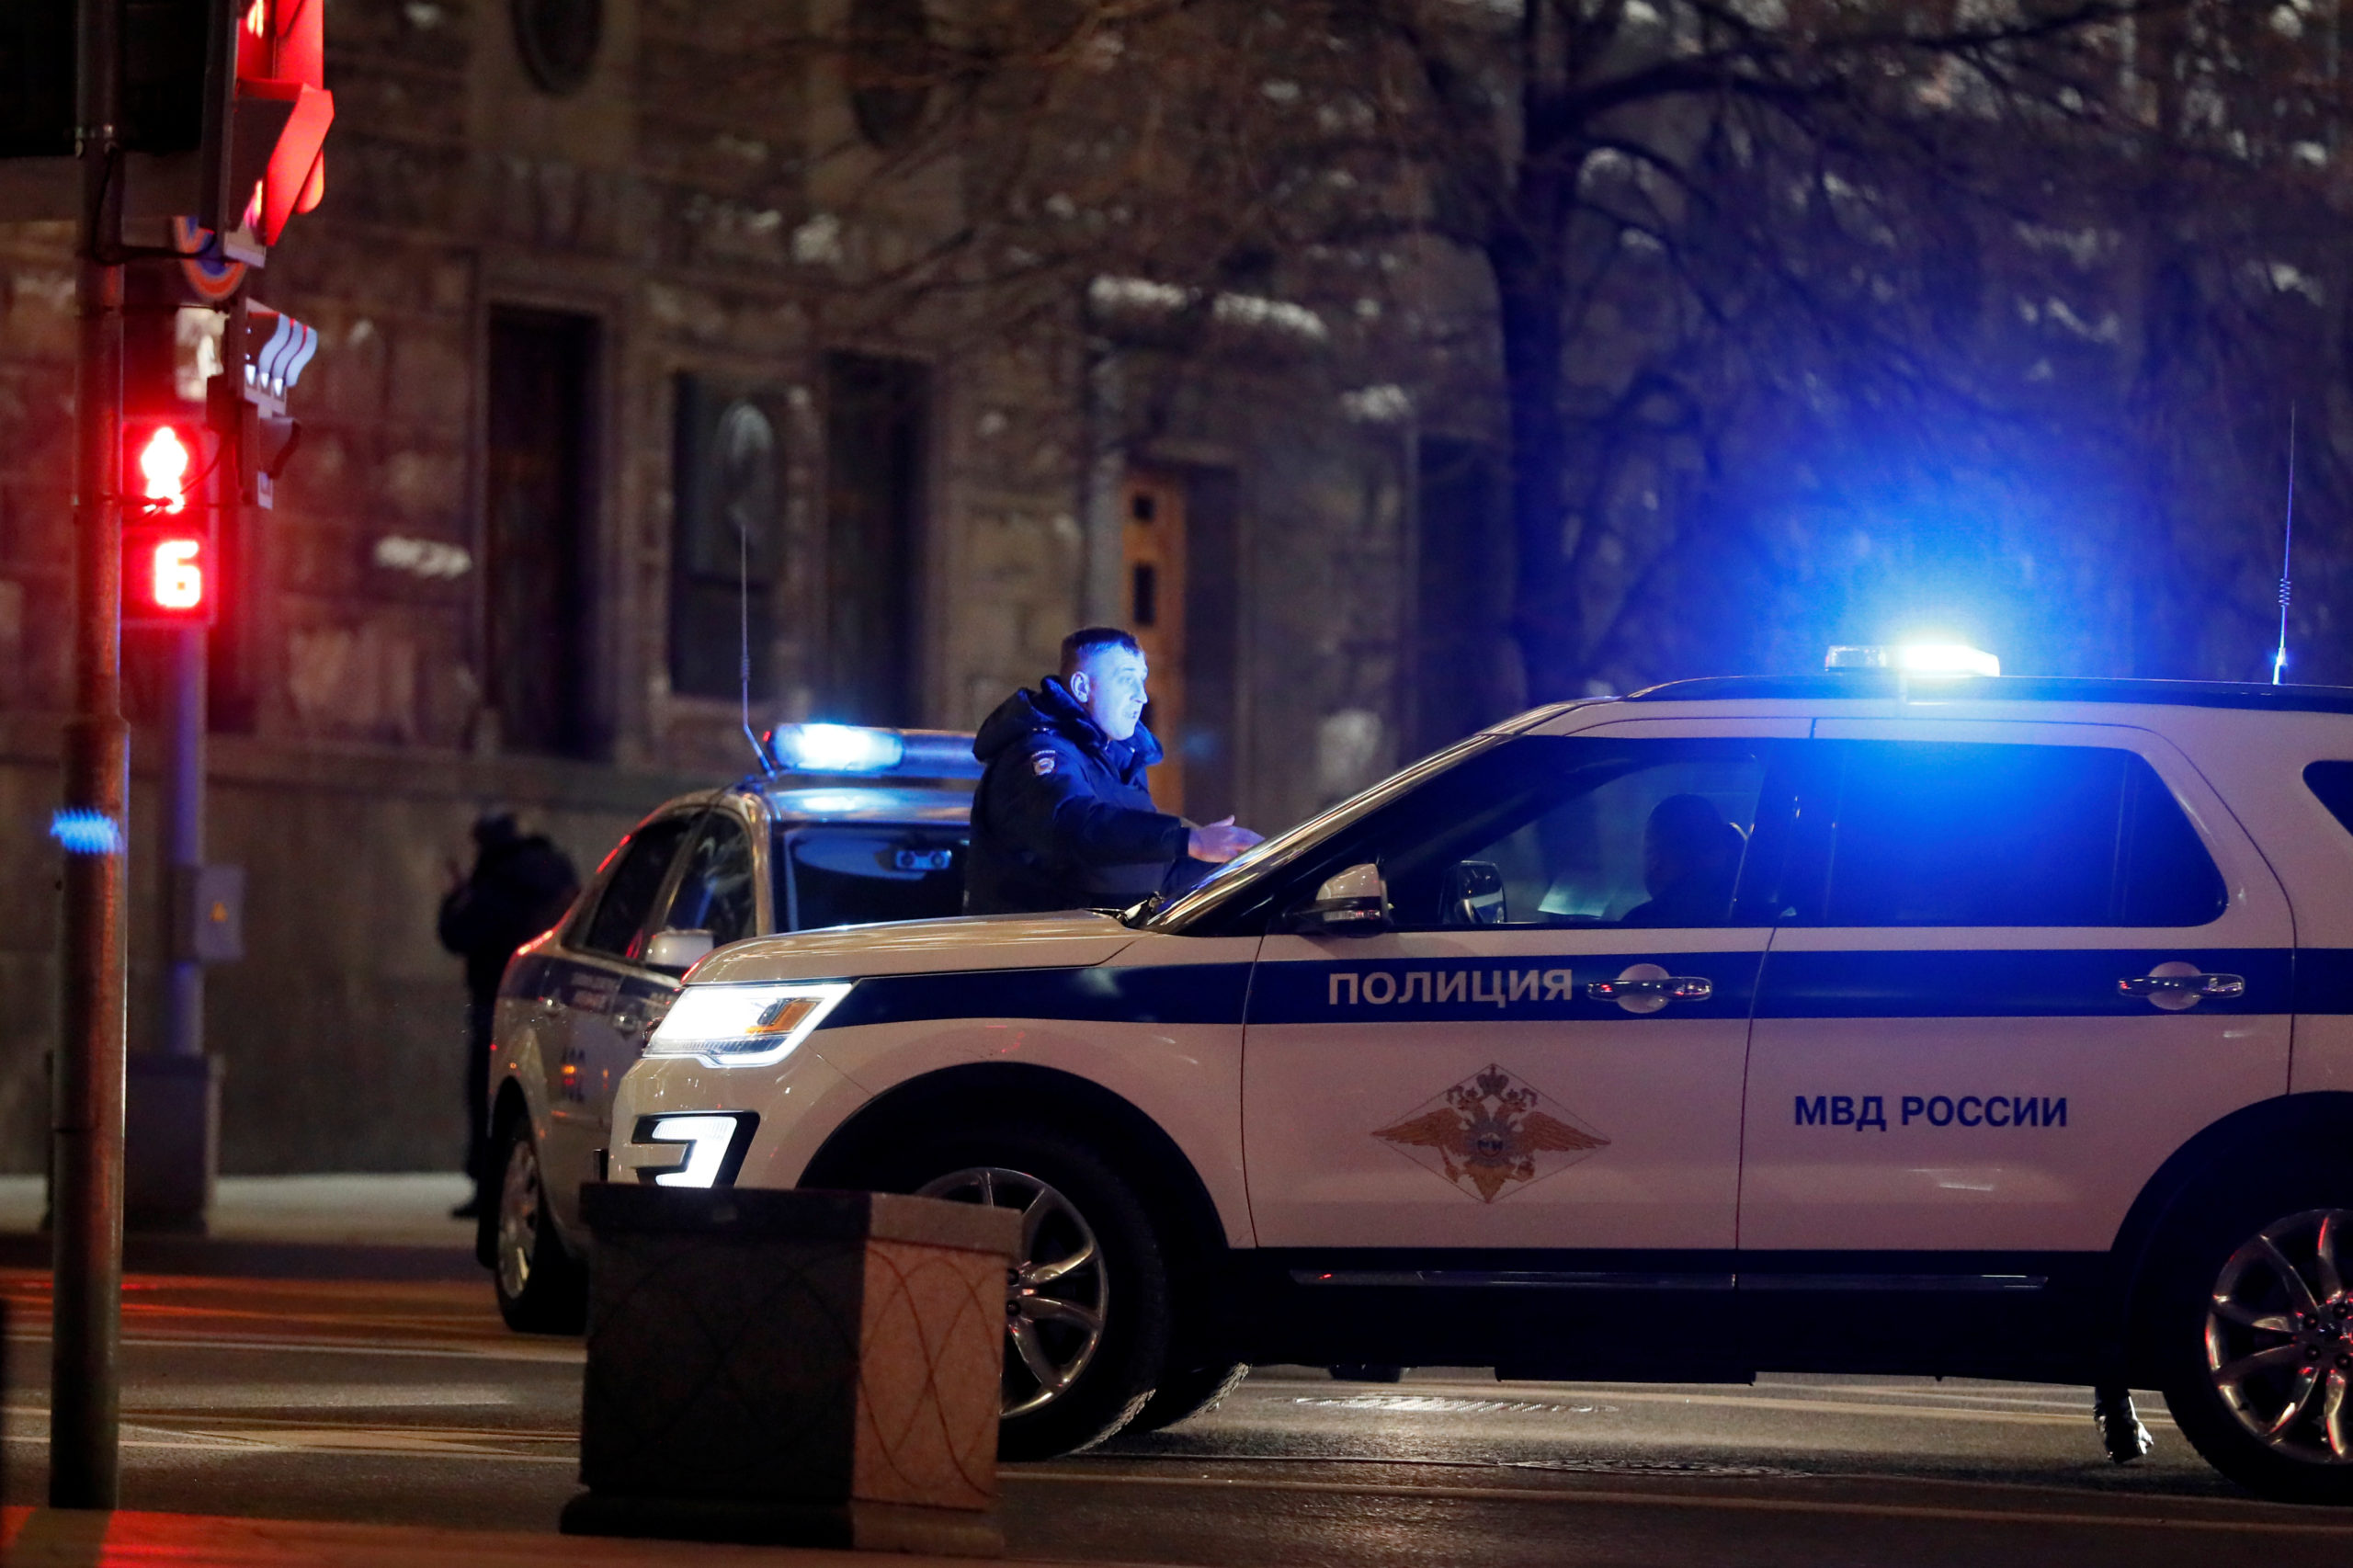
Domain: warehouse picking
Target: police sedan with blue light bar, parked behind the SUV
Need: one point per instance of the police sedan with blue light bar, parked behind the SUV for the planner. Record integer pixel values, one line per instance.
(853, 825)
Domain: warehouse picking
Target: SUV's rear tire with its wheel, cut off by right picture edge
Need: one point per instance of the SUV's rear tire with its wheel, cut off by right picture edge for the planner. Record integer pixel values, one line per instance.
(2253, 1327)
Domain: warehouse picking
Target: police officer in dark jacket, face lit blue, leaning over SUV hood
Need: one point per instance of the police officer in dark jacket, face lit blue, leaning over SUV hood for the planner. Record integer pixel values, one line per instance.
(1065, 818)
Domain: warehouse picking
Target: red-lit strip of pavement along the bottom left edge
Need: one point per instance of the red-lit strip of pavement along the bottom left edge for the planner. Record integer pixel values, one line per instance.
(51, 1539)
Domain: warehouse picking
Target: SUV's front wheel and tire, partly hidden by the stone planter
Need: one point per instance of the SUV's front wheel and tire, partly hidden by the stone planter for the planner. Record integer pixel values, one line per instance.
(1088, 1305)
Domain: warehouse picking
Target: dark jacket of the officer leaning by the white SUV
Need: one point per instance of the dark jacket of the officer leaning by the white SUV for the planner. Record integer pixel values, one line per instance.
(1065, 818)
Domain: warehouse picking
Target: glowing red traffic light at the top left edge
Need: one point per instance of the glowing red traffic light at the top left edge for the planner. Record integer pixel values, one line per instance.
(269, 157)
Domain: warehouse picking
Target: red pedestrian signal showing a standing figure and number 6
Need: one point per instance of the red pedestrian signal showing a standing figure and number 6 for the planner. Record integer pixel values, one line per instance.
(168, 521)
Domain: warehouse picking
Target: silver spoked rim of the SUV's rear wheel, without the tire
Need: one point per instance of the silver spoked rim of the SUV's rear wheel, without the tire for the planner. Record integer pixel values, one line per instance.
(2279, 1336)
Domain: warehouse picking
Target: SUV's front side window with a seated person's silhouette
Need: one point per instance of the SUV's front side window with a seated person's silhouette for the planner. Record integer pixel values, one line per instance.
(1578, 832)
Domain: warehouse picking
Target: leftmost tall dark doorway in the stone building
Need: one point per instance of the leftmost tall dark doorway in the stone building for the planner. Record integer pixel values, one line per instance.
(540, 500)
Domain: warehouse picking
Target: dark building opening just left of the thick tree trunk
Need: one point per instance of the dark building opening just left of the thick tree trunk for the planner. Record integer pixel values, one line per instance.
(1462, 658)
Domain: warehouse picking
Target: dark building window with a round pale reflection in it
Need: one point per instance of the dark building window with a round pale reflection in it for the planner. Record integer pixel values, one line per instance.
(728, 545)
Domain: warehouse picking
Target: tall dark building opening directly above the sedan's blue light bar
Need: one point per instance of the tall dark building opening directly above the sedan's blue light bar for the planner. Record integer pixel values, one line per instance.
(876, 441)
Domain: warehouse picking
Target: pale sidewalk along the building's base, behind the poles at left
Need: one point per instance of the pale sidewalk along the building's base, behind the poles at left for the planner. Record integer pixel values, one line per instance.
(286, 1228)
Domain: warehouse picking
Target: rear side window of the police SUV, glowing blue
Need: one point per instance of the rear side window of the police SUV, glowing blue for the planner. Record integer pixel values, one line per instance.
(1985, 835)
